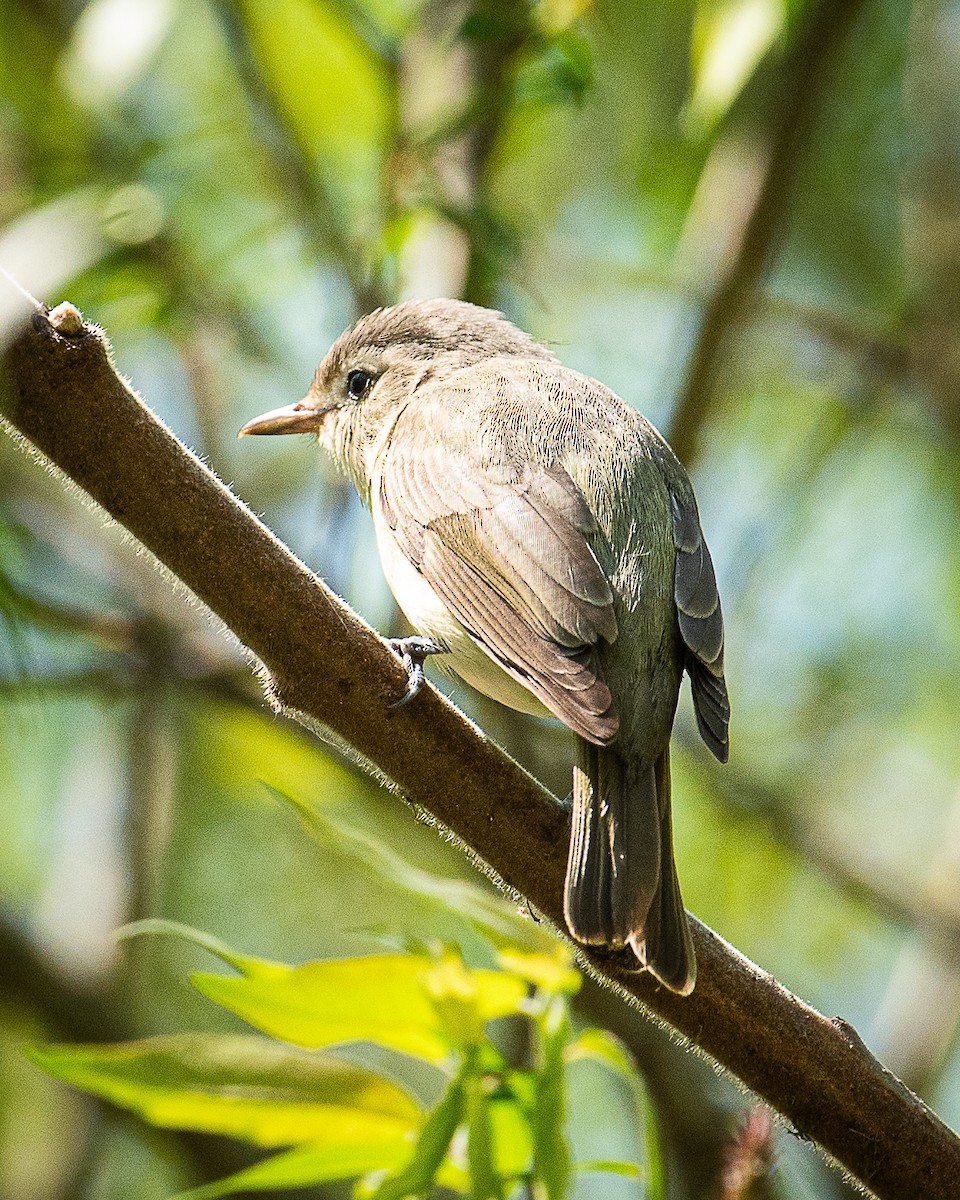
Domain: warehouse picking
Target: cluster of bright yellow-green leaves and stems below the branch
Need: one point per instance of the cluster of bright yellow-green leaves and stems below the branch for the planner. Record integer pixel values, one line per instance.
(496, 1126)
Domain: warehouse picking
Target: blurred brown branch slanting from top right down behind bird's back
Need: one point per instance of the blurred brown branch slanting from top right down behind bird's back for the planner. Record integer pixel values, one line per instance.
(805, 76)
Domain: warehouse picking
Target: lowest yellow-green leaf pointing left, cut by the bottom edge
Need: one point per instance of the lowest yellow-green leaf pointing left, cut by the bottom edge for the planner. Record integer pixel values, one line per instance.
(308, 1166)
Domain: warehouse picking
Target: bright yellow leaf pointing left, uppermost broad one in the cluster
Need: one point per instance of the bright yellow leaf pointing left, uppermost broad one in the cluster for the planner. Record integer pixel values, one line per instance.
(380, 999)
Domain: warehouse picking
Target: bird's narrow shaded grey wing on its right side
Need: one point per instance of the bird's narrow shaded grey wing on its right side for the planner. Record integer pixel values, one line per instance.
(701, 620)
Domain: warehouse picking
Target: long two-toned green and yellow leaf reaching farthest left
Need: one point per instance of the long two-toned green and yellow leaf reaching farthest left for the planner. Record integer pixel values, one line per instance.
(241, 1087)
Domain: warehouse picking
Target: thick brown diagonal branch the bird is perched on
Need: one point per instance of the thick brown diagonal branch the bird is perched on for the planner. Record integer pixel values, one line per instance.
(67, 399)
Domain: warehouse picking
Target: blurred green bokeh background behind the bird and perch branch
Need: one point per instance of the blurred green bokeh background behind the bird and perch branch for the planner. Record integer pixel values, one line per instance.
(740, 214)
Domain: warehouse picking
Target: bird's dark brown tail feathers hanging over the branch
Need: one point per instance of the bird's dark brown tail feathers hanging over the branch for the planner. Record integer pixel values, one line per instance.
(622, 884)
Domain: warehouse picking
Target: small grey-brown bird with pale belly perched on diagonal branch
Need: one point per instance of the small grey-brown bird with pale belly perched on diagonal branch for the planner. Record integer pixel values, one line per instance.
(538, 532)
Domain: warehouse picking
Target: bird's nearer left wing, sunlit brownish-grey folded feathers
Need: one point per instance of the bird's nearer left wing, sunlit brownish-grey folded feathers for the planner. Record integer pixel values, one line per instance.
(508, 553)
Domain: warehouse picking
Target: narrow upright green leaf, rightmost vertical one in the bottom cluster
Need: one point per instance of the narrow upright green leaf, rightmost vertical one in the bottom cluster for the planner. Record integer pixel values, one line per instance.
(550, 1150)
